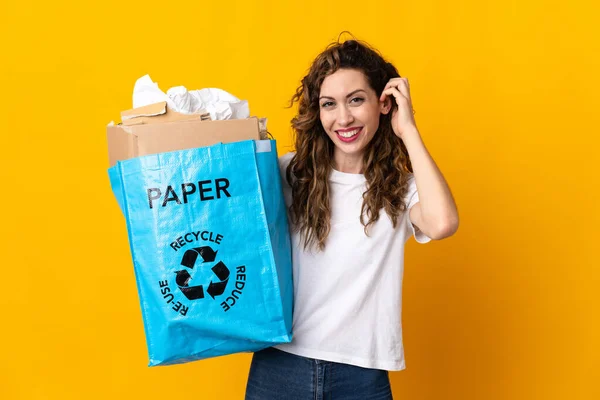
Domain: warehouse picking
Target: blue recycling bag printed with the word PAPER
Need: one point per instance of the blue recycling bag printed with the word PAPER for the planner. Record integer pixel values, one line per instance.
(210, 245)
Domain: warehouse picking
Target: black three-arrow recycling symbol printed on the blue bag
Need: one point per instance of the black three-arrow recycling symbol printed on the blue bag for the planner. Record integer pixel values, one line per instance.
(189, 260)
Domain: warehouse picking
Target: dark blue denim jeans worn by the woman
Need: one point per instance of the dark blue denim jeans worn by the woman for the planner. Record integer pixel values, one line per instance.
(277, 375)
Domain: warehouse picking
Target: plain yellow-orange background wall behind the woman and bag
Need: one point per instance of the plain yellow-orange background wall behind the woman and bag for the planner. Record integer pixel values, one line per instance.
(507, 100)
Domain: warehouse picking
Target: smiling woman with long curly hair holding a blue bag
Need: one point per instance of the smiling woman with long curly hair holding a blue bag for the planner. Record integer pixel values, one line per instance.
(359, 185)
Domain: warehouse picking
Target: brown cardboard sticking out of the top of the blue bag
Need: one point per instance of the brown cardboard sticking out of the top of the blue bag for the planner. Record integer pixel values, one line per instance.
(156, 129)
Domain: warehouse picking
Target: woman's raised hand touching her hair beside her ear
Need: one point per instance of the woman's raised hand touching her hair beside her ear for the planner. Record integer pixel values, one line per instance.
(403, 121)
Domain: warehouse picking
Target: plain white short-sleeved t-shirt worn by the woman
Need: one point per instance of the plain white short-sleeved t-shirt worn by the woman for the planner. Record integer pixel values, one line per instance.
(348, 297)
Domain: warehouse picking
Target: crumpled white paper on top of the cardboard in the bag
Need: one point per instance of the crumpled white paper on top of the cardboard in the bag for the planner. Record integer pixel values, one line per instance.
(217, 102)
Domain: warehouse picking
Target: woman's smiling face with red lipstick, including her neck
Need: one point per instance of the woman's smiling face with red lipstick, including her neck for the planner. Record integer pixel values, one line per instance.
(349, 110)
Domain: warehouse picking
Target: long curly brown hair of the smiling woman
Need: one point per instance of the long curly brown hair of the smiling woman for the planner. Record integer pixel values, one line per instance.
(386, 160)
